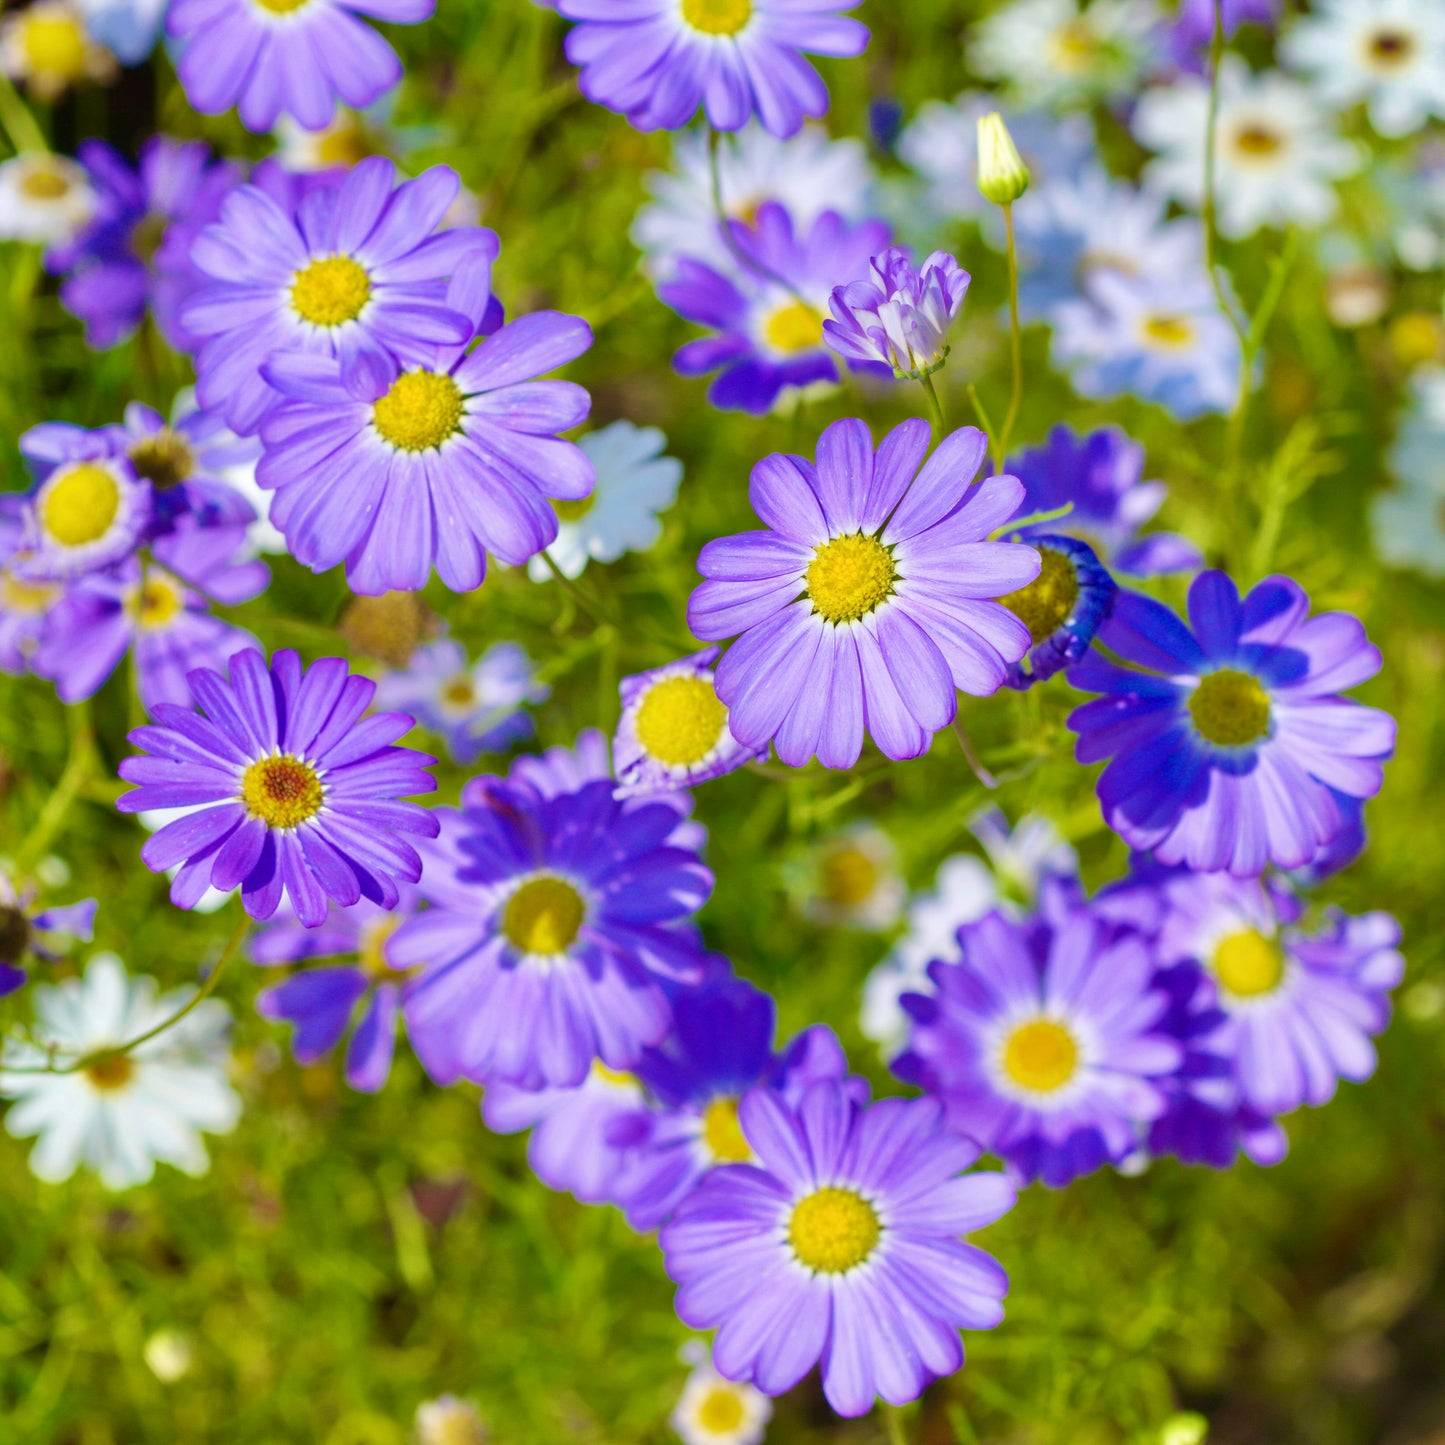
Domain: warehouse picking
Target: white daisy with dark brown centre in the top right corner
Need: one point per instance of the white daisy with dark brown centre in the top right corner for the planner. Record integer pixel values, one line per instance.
(1389, 54)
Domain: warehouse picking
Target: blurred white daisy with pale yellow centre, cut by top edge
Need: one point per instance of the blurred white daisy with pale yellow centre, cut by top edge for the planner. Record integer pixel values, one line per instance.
(1061, 53)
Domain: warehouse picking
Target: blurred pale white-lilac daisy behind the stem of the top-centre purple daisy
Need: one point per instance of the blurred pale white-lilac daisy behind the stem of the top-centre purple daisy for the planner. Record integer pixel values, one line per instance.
(808, 176)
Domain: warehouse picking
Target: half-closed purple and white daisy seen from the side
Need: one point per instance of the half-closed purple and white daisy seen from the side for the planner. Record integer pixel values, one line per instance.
(900, 317)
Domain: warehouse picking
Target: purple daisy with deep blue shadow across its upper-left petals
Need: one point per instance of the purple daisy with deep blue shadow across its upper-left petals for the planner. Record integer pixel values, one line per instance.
(1230, 741)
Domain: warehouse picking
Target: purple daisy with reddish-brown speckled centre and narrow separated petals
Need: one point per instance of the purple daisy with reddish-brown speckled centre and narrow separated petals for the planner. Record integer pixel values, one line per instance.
(294, 793)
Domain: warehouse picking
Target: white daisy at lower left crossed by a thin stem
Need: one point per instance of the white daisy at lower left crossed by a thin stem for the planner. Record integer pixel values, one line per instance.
(126, 1112)
